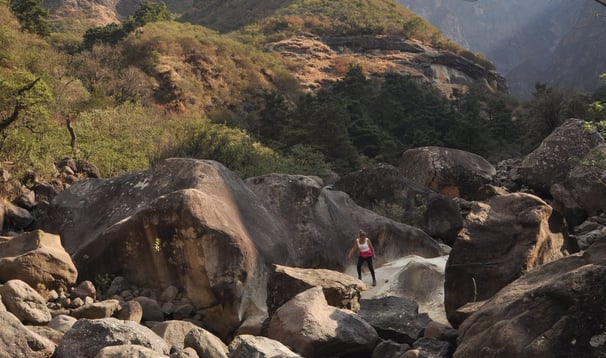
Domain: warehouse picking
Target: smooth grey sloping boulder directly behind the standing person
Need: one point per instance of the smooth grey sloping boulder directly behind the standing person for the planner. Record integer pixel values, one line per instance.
(320, 222)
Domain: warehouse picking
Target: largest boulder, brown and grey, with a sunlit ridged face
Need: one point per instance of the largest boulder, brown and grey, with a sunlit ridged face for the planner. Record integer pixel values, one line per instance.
(186, 223)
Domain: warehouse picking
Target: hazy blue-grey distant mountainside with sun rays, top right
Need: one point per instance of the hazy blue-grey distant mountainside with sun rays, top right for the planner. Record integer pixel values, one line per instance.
(529, 41)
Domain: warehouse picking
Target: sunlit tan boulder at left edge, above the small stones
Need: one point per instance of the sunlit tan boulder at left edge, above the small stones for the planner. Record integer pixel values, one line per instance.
(37, 258)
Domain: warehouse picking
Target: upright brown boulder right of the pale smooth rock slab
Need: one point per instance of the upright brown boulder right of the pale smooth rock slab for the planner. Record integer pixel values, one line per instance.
(503, 238)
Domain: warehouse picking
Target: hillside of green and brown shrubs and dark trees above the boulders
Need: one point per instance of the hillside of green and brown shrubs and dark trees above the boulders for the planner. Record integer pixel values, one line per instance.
(124, 95)
